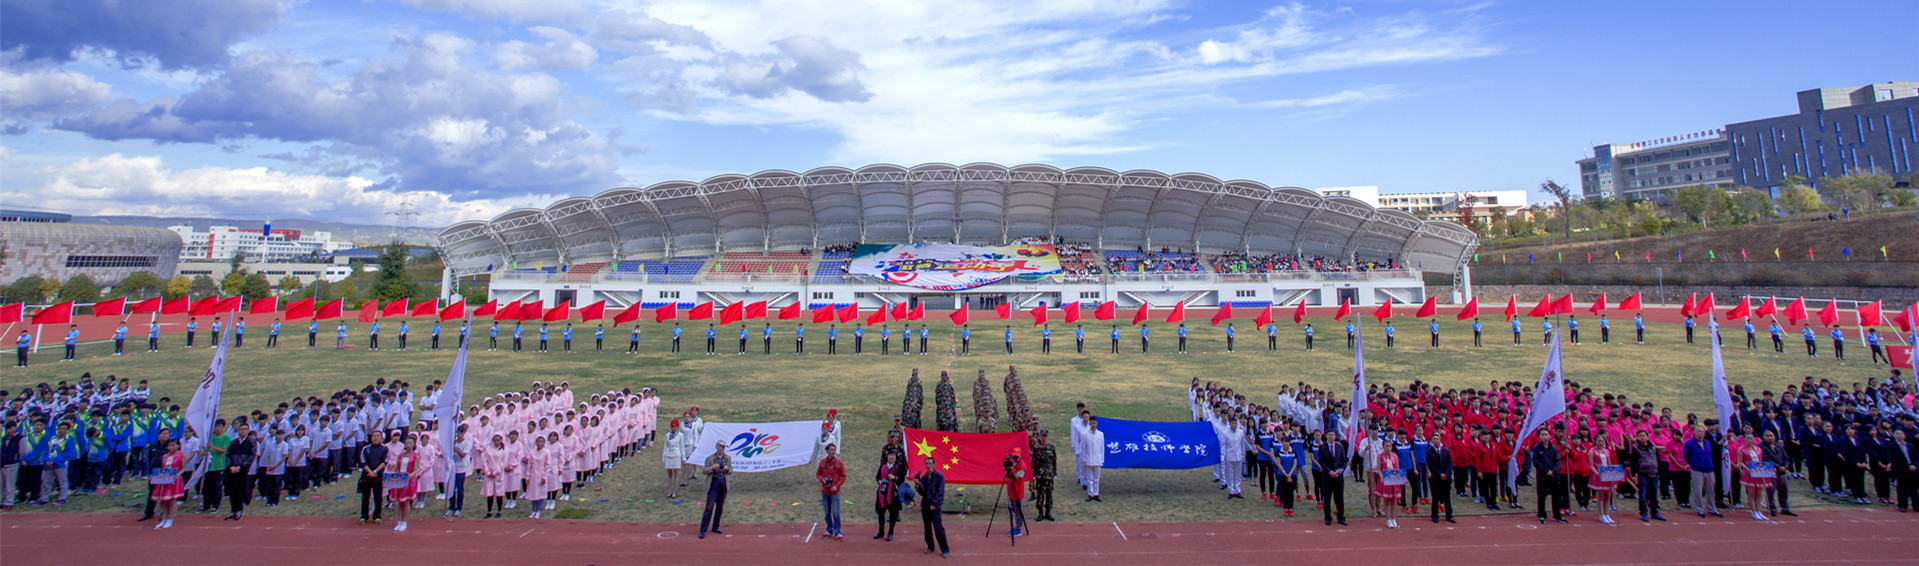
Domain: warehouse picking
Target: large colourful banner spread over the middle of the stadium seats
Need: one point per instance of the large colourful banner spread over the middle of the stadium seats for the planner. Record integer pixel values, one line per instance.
(949, 268)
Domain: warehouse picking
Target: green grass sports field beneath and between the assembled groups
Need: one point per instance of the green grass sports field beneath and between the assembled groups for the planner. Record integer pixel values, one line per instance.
(868, 390)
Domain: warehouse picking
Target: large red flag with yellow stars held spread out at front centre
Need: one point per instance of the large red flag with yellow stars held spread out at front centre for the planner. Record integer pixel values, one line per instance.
(966, 458)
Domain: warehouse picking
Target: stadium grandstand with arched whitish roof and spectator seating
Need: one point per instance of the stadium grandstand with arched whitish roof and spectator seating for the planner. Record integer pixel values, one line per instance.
(1135, 239)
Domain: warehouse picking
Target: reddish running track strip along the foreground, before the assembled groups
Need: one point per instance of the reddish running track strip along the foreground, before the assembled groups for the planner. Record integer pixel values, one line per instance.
(1851, 536)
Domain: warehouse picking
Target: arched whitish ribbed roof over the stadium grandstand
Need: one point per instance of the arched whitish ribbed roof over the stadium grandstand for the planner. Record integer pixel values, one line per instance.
(982, 204)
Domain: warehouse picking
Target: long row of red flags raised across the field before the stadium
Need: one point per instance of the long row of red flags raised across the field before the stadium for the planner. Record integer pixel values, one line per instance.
(1695, 306)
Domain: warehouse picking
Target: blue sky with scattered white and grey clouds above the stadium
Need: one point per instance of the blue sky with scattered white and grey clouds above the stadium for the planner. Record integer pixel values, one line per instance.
(346, 108)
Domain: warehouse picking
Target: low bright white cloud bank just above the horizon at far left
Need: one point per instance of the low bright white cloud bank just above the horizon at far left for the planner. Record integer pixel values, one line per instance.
(143, 185)
